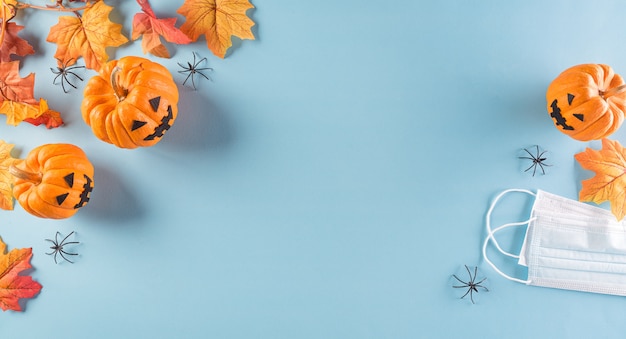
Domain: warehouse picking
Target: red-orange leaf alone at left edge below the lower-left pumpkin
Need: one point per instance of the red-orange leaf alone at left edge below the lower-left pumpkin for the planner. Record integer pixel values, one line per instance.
(14, 286)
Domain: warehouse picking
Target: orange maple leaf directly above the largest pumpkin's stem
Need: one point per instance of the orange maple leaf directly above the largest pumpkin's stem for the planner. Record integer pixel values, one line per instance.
(87, 36)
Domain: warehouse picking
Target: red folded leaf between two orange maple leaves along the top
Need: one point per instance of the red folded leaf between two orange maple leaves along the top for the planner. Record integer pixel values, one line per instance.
(152, 28)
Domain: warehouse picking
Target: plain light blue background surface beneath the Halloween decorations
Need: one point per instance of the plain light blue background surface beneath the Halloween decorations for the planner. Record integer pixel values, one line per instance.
(327, 182)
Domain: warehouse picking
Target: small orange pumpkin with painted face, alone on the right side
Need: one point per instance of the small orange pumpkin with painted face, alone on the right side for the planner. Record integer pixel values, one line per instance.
(587, 102)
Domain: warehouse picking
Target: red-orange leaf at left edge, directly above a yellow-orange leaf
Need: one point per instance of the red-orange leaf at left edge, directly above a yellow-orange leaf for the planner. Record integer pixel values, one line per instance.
(13, 87)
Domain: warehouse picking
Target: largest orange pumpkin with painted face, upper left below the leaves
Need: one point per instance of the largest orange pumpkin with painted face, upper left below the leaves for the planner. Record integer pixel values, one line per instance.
(131, 103)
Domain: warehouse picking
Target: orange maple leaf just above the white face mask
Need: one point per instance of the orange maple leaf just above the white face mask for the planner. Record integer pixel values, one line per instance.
(609, 183)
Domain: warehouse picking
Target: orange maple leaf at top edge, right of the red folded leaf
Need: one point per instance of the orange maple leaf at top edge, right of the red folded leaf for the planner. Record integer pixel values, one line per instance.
(218, 20)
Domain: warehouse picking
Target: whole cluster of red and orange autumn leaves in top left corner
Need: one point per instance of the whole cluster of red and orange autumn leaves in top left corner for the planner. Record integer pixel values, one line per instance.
(88, 32)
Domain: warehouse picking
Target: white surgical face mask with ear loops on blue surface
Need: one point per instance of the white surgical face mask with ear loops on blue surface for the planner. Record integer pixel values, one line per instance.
(568, 245)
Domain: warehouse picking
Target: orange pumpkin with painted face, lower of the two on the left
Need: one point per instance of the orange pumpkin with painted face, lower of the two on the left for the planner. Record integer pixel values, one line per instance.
(54, 181)
